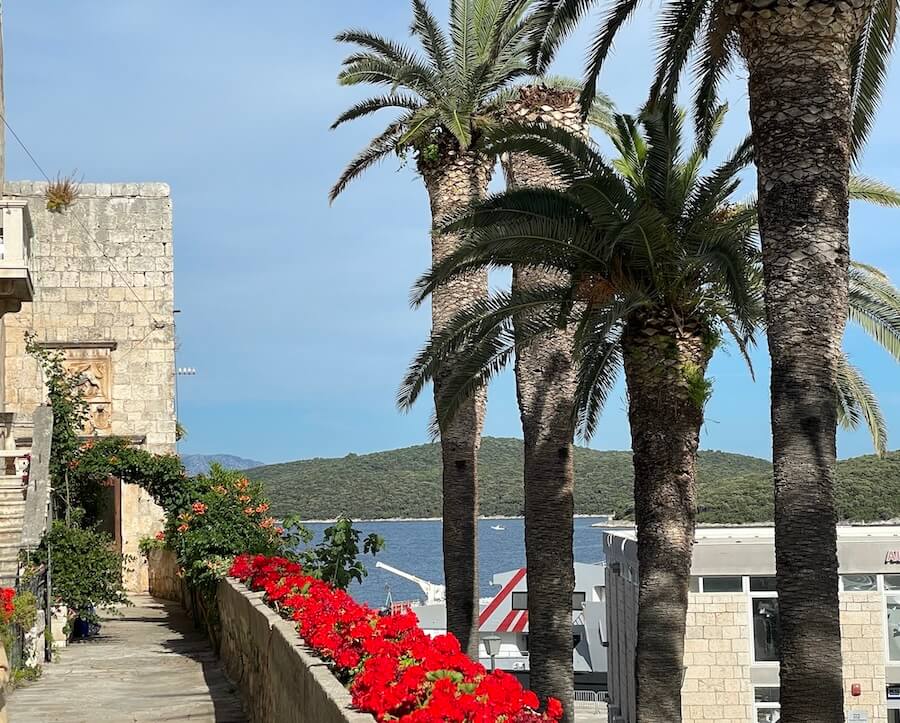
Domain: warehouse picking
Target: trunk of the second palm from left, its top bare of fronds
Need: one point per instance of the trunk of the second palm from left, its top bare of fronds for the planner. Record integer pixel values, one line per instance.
(545, 386)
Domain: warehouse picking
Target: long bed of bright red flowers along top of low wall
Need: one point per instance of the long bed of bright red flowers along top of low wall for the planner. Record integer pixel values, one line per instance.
(393, 669)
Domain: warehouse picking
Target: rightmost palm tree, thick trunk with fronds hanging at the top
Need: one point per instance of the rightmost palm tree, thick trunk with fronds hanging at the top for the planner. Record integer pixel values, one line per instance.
(815, 73)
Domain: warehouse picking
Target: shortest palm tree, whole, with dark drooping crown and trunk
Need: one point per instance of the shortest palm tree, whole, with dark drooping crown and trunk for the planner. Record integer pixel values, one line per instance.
(649, 268)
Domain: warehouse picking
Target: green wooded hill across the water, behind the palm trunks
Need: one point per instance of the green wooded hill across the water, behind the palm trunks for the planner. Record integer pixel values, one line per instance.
(406, 483)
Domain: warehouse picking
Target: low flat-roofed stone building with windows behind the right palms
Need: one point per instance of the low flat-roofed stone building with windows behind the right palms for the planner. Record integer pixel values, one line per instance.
(731, 642)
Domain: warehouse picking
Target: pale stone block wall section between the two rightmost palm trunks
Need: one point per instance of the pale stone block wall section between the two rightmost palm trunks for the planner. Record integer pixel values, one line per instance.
(717, 657)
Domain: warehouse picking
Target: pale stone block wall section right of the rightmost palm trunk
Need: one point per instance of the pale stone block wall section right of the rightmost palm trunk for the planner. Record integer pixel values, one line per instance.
(862, 646)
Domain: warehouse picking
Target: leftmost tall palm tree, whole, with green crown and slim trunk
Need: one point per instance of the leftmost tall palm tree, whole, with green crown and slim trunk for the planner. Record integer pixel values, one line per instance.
(448, 98)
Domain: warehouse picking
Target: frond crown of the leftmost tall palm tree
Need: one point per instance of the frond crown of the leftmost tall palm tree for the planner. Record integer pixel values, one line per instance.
(448, 92)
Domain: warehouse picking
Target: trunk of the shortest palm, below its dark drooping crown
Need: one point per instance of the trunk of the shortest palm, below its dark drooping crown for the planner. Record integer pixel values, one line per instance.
(665, 364)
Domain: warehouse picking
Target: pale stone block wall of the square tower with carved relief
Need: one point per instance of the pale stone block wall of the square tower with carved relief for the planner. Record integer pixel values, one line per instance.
(103, 278)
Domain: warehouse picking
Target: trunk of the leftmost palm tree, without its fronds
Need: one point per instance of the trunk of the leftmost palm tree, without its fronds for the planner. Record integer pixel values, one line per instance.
(454, 180)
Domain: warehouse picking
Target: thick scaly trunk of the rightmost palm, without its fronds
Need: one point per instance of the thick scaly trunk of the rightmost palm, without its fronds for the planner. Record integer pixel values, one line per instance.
(799, 79)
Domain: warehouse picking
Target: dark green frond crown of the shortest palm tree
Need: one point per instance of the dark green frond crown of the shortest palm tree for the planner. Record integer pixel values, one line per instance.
(646, 234)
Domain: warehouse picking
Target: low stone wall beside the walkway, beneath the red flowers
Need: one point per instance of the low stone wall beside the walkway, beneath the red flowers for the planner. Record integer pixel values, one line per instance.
(278, 680)
